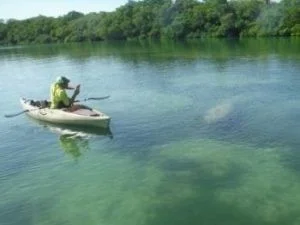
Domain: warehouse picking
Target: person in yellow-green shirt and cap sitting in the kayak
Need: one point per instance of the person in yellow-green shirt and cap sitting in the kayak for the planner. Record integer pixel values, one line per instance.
(59, 97)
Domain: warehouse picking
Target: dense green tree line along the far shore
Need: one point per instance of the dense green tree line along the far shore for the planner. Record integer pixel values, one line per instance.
(180, 19)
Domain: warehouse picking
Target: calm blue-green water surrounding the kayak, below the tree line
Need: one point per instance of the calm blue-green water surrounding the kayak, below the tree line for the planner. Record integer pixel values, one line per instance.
(202, 132)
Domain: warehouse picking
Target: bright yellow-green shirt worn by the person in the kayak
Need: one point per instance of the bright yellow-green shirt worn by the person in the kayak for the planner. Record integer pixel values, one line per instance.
(58, 95)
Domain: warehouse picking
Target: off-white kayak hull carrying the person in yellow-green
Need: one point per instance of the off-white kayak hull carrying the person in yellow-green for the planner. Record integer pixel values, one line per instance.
(84, 116)
